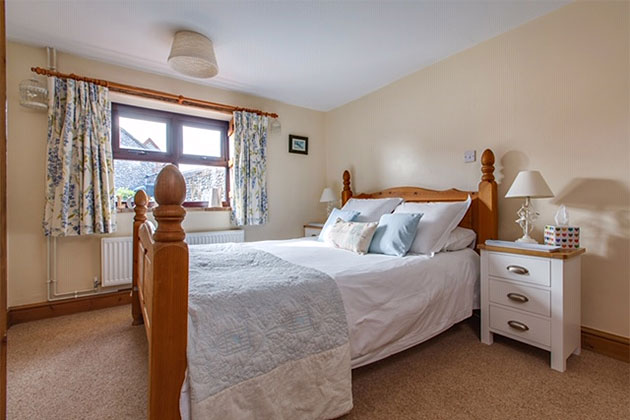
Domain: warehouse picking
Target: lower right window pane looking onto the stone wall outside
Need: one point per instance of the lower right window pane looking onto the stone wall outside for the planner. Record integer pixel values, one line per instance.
(201, 179)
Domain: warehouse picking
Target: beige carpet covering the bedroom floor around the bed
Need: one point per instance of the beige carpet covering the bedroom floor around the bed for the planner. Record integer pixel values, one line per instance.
(93, 366)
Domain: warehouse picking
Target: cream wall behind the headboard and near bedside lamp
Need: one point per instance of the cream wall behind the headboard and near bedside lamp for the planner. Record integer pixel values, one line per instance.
(550, 95)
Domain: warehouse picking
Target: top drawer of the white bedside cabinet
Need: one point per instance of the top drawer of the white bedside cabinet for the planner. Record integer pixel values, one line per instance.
(526, 269)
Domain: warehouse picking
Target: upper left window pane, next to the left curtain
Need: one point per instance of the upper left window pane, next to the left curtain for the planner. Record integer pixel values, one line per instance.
(140, 134)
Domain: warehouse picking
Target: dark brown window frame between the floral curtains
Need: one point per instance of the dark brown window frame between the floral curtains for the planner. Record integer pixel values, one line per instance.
(174, 142)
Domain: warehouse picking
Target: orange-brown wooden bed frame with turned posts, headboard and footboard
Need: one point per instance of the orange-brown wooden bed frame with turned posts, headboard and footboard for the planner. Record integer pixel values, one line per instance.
(160, 269)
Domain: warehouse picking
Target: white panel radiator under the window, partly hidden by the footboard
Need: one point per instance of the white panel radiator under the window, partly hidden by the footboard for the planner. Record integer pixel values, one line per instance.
(116, 253)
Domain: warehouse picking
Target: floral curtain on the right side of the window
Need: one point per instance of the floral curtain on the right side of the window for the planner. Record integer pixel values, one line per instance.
(249, 189)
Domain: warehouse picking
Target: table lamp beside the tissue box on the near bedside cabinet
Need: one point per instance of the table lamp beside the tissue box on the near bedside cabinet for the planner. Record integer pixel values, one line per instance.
(528, 185)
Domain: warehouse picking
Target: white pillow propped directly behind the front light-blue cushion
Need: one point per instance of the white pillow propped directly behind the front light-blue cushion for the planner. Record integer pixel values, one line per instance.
(437, 222)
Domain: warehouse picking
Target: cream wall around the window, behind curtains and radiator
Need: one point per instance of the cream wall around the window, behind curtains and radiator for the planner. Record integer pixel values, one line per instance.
(294, 181)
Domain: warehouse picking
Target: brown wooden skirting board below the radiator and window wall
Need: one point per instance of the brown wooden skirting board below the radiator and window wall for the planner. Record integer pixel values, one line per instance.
(35, 311)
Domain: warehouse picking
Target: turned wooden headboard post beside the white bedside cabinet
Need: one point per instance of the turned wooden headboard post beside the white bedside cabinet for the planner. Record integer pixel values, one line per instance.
(487, 206)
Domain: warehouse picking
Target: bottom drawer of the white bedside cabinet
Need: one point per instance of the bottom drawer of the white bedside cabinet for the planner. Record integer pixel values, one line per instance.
(532, 328)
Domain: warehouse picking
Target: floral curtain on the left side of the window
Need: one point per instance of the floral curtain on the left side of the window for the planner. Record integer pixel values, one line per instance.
(80, 185)
